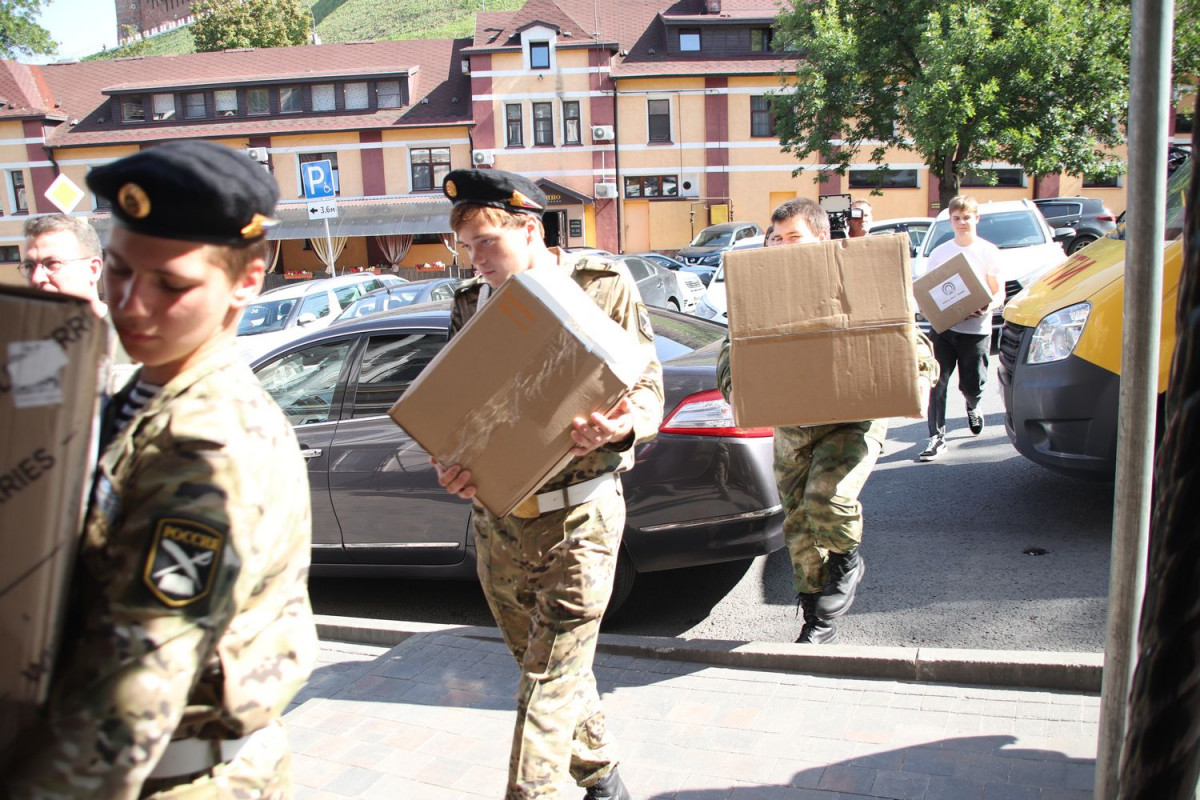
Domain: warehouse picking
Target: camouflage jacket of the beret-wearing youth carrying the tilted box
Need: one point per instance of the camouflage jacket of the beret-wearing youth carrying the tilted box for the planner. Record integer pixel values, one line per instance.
(614, 290)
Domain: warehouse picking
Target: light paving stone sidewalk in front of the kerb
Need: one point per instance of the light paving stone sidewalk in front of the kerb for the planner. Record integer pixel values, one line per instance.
(433, 719)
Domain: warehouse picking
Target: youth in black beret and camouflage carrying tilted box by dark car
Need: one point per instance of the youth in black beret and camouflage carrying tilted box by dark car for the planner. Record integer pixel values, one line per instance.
(548, 568)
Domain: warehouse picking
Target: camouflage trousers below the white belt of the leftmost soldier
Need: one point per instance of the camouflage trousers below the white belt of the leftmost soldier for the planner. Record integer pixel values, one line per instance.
(262, 771)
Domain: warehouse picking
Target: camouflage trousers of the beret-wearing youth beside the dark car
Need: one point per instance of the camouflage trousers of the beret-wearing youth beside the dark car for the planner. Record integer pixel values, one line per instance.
(548, 582)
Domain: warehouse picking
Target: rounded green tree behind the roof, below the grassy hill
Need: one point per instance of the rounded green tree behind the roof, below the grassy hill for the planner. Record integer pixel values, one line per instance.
(225, 25)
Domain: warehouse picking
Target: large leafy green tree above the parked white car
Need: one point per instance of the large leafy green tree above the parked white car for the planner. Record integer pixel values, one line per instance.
(1039, 85)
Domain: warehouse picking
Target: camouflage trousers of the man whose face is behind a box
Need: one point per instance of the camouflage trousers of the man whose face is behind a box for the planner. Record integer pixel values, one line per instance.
(820, 471)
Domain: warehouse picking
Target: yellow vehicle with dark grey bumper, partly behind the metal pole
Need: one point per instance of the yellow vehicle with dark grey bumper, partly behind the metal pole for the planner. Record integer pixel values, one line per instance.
(1060, 350)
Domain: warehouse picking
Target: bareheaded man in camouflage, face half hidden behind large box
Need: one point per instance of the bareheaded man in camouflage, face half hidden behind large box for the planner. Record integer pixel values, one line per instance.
(820, 471)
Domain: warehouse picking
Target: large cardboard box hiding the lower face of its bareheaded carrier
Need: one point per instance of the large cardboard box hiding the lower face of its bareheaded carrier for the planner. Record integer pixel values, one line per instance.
(823, 333)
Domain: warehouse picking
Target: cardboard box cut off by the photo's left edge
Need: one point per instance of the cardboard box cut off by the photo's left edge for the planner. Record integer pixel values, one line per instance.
(53, 351)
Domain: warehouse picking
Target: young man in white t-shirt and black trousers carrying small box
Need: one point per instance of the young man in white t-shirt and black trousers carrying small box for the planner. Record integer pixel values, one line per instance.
(964, 346)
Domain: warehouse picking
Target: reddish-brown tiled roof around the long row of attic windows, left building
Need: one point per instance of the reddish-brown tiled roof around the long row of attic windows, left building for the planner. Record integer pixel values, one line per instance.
(79, 89)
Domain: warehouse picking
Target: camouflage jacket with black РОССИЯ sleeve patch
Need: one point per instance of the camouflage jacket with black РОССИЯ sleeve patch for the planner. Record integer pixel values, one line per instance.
(190, 613)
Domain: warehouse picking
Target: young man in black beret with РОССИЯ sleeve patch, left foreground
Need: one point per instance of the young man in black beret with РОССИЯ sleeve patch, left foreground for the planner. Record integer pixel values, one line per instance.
(190, 629)
